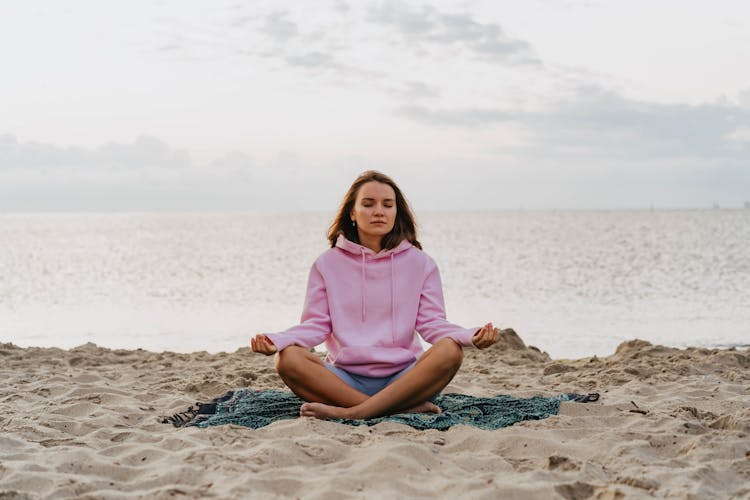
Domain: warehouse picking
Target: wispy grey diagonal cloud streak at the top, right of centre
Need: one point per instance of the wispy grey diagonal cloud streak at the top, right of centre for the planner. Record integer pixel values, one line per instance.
(428, 26)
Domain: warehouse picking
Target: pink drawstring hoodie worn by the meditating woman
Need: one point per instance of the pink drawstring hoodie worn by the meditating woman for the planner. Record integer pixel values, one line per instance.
(367, 307)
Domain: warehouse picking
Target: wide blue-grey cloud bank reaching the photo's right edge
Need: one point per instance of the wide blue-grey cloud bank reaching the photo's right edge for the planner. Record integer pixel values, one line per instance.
(598, 123)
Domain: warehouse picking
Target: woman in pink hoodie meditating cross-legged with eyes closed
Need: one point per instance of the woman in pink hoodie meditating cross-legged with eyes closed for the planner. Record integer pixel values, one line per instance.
(366, 296)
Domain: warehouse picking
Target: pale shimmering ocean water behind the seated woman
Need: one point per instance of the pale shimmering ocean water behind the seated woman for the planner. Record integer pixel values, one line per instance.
(573, 283)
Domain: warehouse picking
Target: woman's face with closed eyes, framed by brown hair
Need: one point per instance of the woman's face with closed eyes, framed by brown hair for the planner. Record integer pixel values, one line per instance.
(374, 209)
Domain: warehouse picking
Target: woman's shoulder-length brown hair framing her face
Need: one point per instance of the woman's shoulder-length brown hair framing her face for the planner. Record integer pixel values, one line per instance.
(404, 228)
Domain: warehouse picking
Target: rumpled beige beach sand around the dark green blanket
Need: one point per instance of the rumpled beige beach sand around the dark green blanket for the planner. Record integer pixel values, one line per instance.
(84, 423)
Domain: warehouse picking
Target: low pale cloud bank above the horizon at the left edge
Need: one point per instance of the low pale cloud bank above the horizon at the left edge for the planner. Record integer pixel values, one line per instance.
(146, 174)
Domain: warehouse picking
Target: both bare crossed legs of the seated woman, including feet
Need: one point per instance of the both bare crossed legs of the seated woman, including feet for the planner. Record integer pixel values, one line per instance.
(330, 397)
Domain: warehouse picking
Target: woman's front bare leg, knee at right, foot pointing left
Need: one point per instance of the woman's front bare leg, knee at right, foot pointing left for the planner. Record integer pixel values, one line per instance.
(433, 371)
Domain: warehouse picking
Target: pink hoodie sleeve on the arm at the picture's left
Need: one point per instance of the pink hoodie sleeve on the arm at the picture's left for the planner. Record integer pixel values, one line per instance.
(315, 324)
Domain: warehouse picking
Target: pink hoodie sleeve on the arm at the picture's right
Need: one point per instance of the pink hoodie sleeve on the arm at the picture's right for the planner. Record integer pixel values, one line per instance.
(431, 323)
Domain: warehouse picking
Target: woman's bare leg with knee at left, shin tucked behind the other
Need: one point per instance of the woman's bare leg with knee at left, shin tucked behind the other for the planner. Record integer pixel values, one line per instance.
(306, 375)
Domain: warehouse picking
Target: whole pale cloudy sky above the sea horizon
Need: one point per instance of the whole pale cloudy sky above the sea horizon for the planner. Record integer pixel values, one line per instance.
(278, 105)
